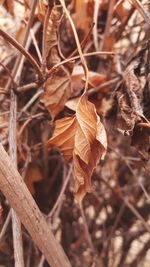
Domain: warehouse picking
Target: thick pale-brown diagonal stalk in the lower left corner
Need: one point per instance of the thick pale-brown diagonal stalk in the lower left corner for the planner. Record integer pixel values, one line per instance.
(20, 199)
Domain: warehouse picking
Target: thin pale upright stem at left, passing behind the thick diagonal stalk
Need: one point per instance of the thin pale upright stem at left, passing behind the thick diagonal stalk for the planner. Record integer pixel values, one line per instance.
(16, 224)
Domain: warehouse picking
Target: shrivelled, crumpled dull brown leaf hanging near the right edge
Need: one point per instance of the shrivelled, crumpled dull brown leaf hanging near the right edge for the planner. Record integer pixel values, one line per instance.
(129, 98)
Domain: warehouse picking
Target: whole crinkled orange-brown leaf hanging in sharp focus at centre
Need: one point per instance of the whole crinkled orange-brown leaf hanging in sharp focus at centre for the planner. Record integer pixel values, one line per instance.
(82, 136)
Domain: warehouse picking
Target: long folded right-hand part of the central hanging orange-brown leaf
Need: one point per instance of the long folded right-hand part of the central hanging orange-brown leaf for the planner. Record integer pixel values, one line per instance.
(90, 146)
